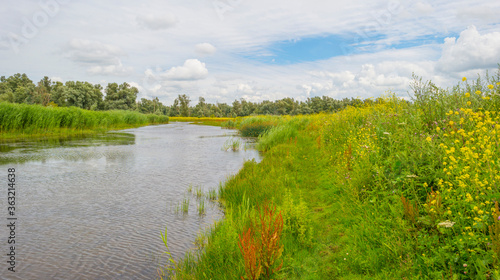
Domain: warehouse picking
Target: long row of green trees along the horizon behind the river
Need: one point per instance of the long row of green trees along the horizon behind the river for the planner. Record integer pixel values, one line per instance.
(19, 88)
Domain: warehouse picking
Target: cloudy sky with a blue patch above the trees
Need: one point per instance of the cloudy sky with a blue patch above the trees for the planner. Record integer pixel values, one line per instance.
(257, 50)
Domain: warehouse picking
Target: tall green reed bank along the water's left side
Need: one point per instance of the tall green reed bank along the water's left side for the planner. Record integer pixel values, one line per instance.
(20, 121)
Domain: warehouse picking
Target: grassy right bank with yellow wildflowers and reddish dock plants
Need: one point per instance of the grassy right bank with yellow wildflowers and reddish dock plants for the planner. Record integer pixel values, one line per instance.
(392, 189)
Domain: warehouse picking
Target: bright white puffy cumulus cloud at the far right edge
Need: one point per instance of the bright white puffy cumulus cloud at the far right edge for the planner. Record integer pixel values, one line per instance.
(470, 51)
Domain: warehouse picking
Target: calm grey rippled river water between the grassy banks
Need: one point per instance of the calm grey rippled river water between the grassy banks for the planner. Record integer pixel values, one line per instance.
(93, 208)
